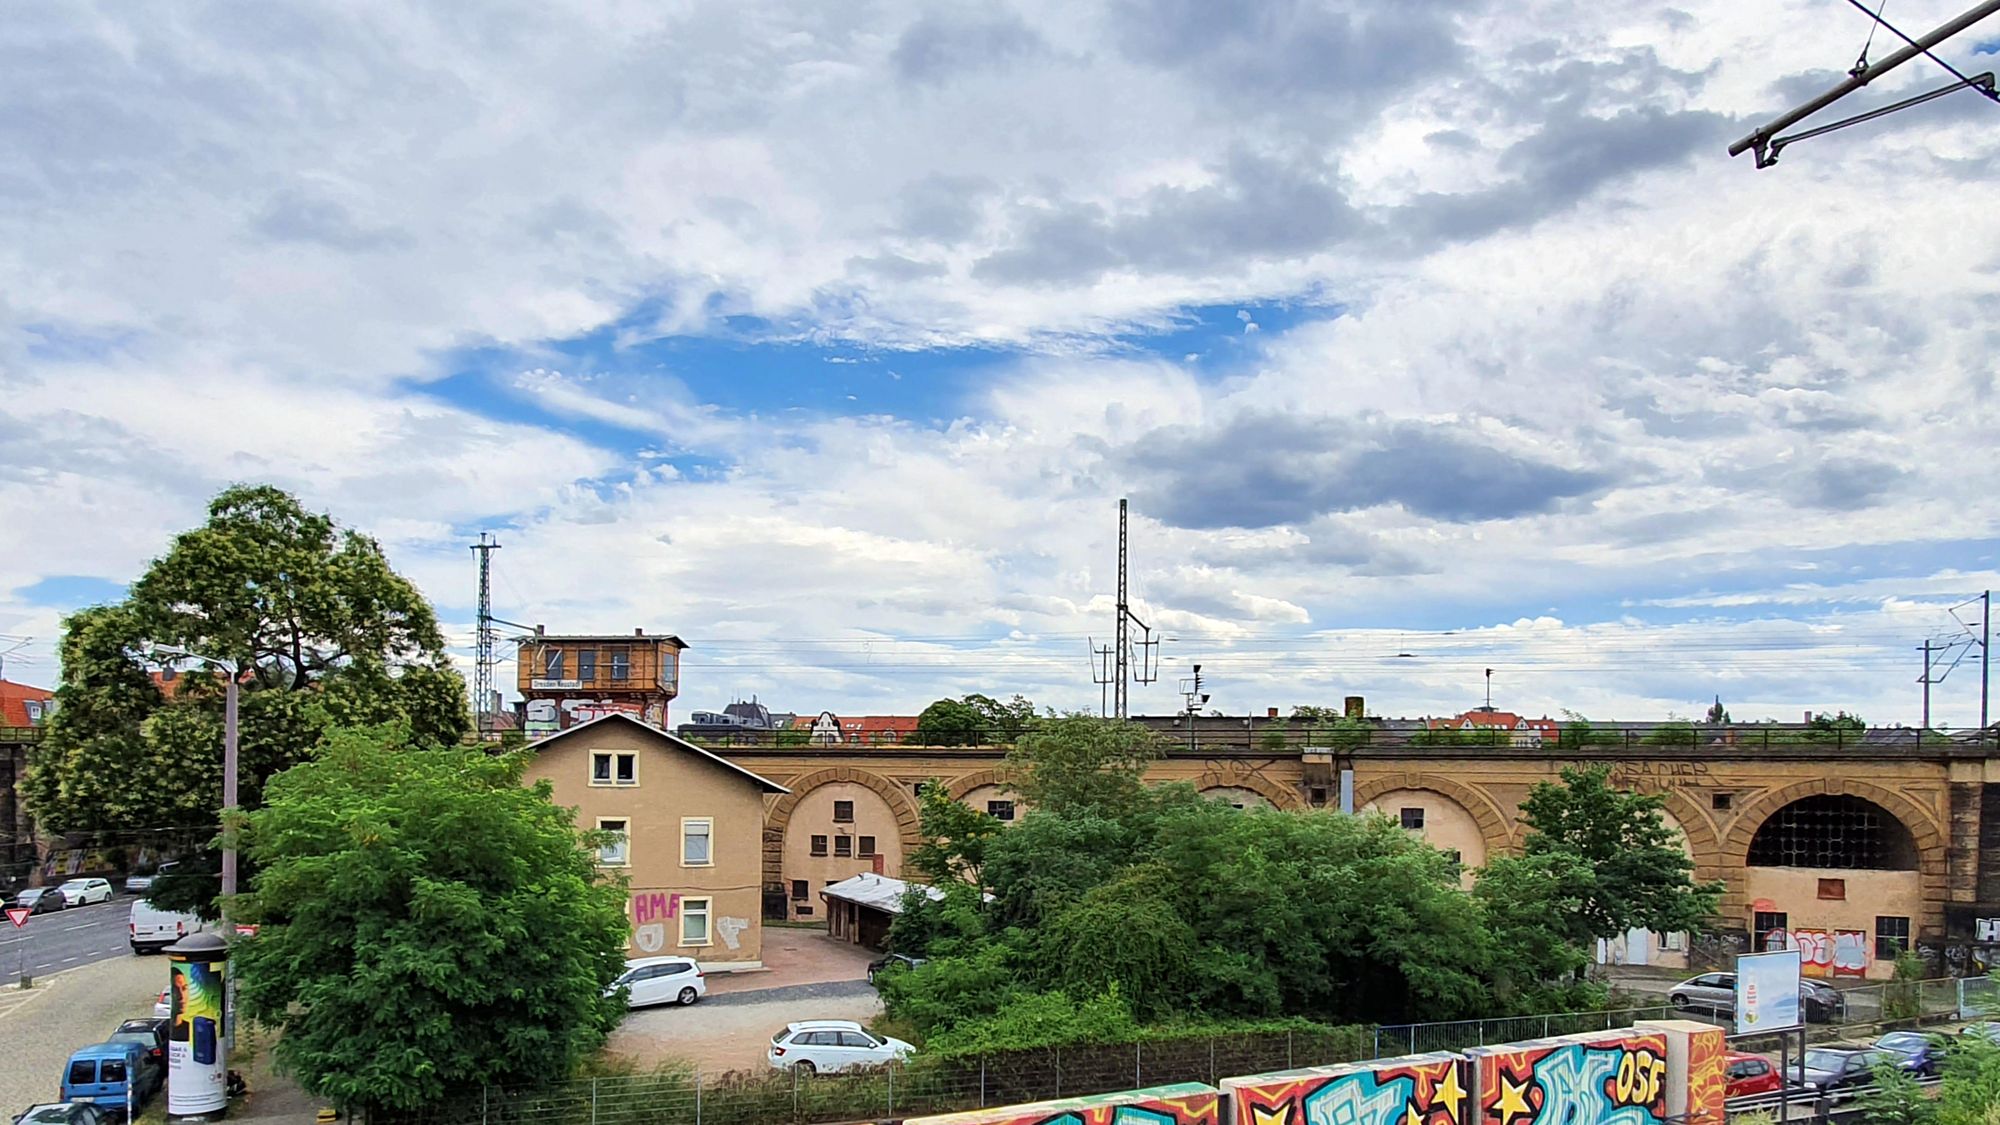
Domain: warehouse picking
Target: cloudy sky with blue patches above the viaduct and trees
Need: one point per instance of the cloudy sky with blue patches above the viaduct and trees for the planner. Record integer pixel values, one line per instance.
(1423, 339)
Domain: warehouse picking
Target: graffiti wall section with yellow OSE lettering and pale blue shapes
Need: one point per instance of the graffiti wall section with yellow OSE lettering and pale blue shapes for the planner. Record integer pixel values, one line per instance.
(1613, 1080)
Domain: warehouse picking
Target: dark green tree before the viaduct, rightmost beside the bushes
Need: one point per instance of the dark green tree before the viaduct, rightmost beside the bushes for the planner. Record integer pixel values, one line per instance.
(1631, 870)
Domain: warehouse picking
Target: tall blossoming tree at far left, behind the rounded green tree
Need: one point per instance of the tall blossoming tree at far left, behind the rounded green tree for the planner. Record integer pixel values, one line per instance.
(323, 630)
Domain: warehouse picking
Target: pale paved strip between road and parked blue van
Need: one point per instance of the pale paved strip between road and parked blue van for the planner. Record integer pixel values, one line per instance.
(67, 1012)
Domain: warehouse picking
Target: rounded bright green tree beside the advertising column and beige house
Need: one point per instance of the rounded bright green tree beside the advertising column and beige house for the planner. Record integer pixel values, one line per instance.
(427, 924)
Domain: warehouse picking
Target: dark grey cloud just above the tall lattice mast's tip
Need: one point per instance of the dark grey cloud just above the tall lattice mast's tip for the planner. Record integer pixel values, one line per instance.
(1273, 469)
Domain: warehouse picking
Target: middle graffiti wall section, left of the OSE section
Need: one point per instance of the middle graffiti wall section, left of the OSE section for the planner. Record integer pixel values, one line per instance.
(1431, 1090)
